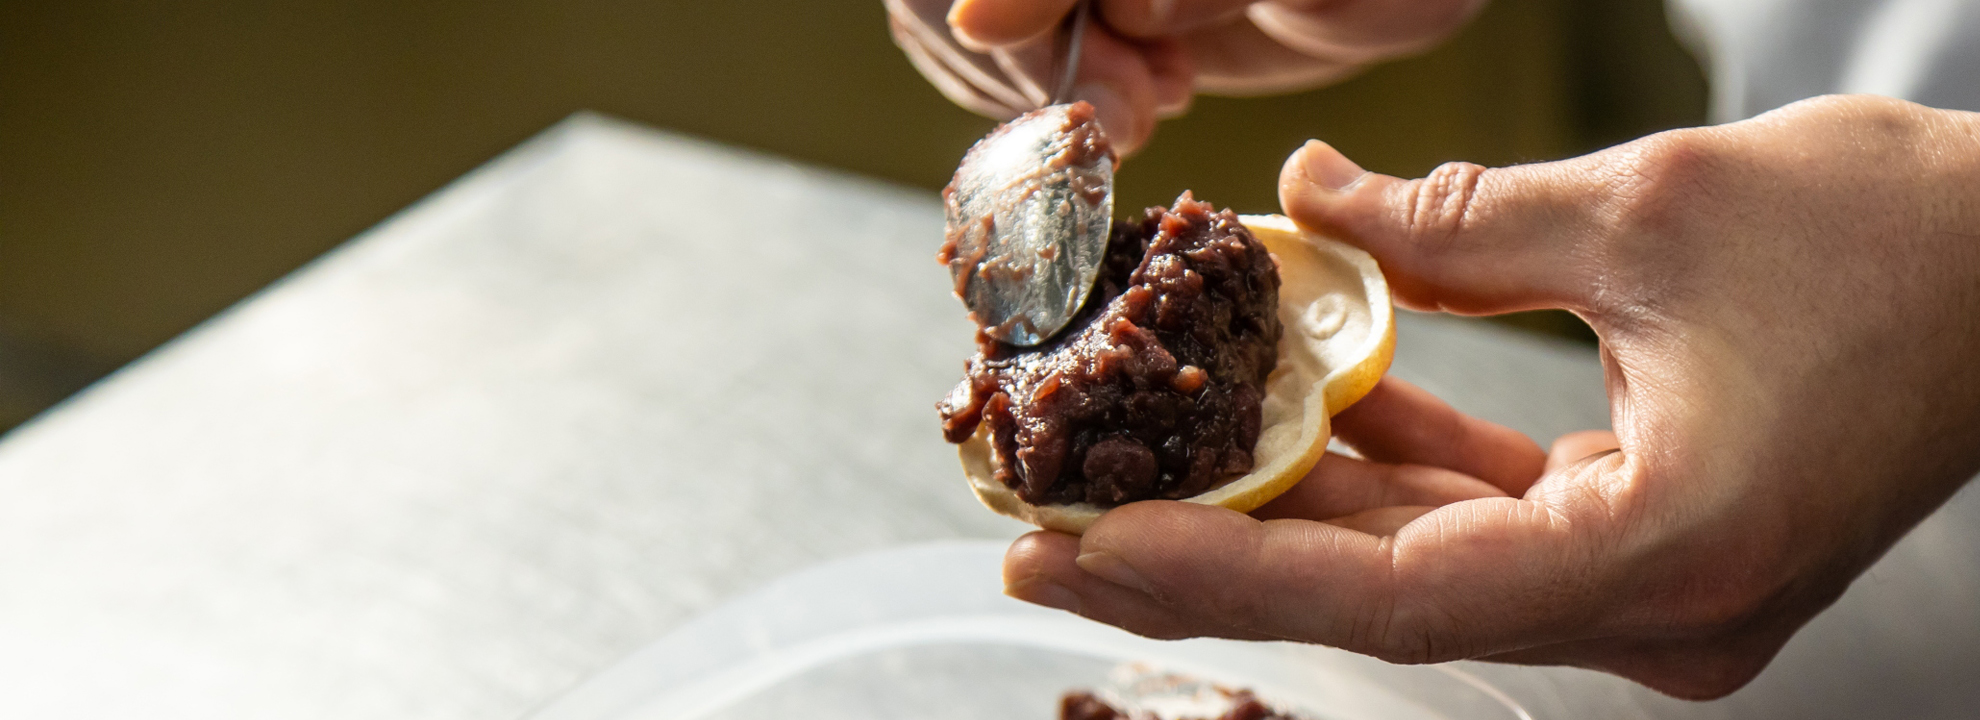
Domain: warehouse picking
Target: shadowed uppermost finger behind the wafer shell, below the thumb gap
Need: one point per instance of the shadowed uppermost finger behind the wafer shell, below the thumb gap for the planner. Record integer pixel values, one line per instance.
(1399, 422)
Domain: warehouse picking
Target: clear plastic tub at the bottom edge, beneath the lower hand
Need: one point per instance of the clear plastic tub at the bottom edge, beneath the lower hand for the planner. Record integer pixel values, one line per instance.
(928, 634)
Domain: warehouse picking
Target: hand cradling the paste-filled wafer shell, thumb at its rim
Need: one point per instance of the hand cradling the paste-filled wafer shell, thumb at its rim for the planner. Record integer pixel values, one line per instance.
(1789, 327)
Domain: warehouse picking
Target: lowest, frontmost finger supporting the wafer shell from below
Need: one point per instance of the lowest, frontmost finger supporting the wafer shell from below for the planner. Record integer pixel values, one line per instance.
(1464, 581)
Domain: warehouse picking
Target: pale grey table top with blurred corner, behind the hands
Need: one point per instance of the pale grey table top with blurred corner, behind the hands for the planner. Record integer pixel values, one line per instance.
(555, 410)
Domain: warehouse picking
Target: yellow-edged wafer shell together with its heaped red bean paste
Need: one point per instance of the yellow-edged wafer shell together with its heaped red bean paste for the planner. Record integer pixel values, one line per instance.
(1203, 369)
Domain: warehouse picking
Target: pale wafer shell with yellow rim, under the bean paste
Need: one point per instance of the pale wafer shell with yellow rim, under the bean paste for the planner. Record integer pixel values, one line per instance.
(1339, 339)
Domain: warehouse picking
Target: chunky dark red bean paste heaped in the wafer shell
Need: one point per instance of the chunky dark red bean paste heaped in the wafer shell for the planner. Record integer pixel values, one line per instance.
(1155, 389)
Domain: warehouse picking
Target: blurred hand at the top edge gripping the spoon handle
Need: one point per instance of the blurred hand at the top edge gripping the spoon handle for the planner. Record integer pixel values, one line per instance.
(1147, 58)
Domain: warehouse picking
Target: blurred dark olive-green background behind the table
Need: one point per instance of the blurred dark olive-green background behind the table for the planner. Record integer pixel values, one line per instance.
(163, 161)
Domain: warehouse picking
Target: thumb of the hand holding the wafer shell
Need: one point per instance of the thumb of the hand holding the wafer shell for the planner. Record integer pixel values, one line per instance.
(1466, 238)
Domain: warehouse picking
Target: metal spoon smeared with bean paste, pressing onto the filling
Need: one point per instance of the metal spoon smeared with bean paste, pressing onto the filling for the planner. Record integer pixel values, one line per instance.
(1029, 213)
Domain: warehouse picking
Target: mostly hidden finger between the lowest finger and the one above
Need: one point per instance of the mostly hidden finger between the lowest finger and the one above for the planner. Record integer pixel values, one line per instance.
(1343, 486)
